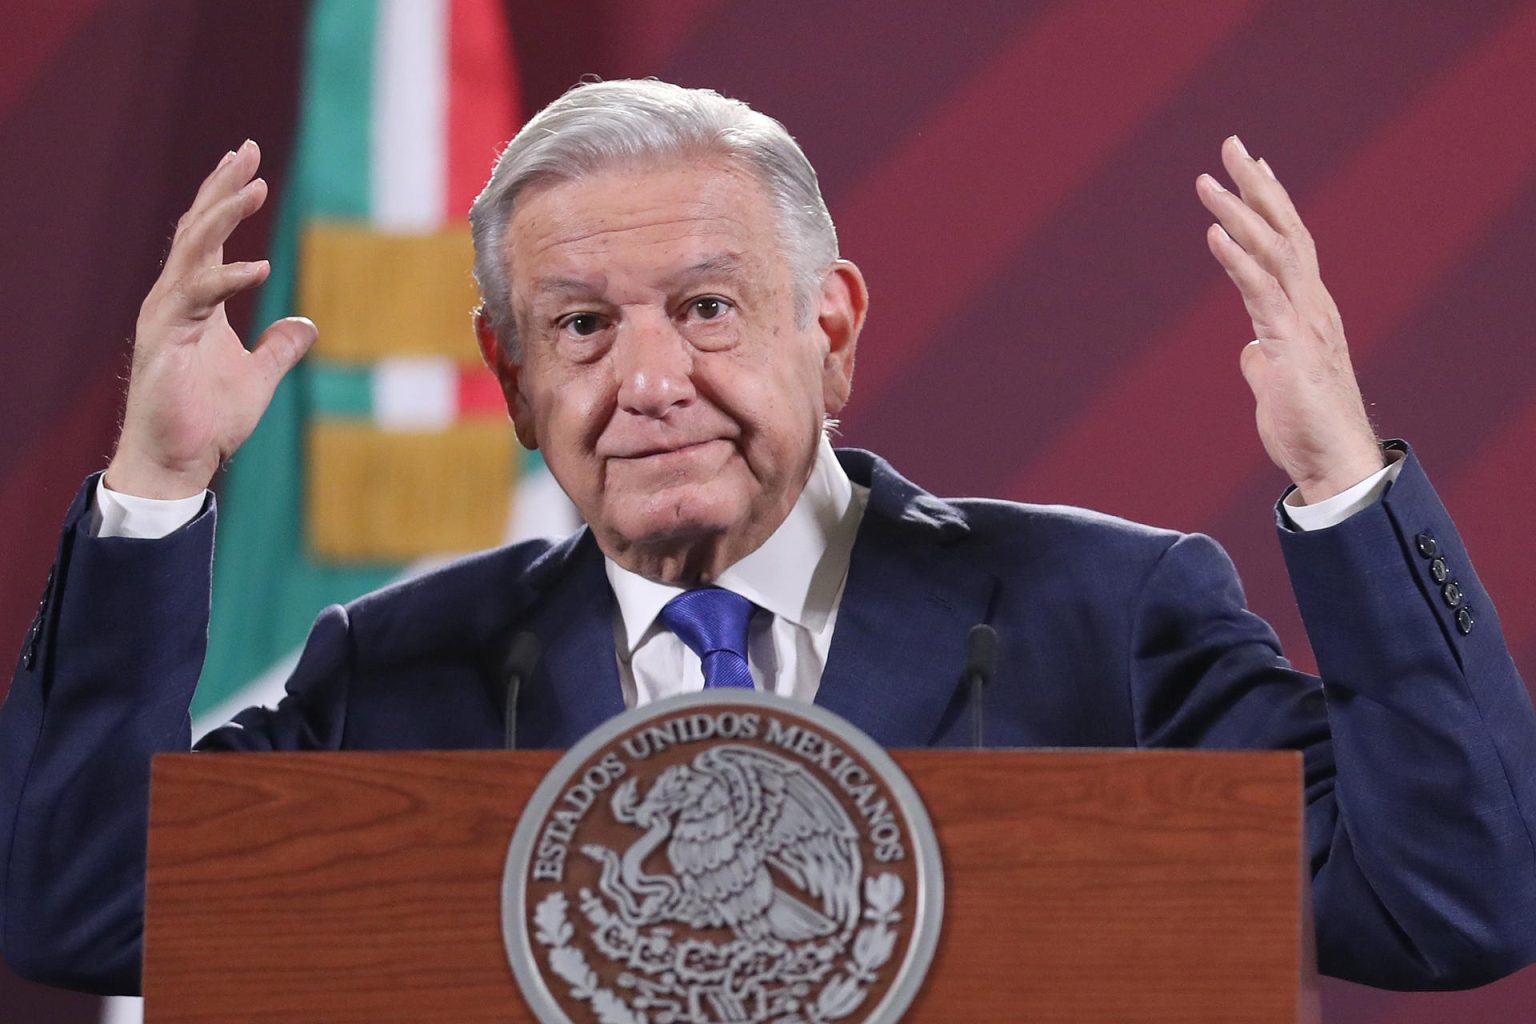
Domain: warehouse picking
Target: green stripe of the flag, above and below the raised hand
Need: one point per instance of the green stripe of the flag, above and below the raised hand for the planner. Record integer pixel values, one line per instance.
(266, 590)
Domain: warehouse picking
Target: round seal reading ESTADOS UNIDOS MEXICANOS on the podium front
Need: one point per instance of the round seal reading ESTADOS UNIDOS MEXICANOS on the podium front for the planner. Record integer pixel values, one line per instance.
(724, 857)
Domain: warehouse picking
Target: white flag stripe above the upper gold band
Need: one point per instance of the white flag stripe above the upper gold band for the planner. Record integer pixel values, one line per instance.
(411, 113)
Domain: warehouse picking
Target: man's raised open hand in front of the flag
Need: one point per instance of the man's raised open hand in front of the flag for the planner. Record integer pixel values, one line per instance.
(196, 392)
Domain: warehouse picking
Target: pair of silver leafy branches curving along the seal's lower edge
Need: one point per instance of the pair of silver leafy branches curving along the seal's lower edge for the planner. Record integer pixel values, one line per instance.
(842, 996)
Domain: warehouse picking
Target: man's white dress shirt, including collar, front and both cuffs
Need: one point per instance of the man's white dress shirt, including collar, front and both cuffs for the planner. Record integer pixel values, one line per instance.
(796, 580)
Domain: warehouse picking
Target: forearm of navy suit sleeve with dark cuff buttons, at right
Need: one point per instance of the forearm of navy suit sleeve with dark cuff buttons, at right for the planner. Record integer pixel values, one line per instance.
(1426, 847)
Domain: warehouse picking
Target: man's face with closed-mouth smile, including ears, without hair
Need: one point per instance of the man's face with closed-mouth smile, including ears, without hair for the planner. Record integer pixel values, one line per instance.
(664, 375)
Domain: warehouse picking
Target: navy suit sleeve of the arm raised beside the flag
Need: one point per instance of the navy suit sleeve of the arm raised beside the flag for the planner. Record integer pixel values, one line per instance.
(104, 684)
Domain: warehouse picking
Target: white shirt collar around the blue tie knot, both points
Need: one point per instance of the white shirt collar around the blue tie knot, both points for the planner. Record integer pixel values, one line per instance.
(796, 573)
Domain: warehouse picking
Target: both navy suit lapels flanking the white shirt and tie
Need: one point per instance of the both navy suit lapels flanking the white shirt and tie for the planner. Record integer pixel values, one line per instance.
(896, 656)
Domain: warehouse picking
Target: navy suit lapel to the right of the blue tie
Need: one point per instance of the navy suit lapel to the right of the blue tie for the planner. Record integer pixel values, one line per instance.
(899, 649)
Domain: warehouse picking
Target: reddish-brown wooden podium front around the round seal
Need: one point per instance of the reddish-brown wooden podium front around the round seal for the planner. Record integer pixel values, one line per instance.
(1082, 887)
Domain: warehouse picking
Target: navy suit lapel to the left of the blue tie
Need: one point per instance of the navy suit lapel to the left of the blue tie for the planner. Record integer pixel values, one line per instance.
(577, 682)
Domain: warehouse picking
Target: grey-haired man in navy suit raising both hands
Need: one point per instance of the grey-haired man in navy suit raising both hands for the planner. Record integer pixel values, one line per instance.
(674, 328)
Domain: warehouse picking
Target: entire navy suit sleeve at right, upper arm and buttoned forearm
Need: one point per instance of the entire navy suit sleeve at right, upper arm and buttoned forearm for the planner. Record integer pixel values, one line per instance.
(1418, 744)
